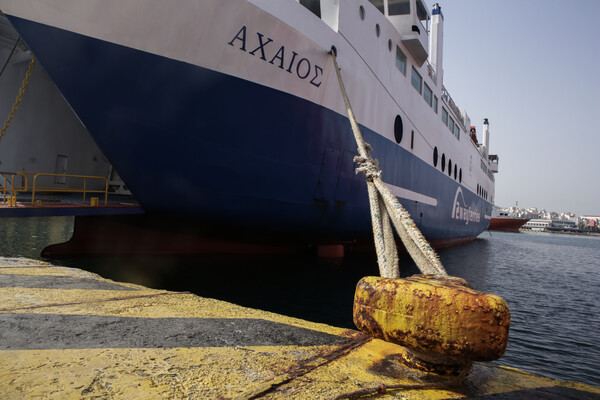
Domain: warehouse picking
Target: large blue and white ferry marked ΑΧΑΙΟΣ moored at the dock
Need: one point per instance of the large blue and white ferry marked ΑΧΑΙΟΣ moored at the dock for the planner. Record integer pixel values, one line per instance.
(228, 113)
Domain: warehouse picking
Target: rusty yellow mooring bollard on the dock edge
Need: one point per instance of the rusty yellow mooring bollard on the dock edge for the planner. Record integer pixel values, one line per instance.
(441, 322)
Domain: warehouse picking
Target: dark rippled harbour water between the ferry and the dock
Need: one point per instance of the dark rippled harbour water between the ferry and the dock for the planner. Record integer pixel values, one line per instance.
(551, 283)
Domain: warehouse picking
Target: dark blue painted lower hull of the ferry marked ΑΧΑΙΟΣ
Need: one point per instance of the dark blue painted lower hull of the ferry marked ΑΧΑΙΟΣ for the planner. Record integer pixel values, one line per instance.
(196, 143)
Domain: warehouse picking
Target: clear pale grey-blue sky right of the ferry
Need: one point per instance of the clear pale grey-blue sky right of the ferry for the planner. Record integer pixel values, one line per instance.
(532, 67)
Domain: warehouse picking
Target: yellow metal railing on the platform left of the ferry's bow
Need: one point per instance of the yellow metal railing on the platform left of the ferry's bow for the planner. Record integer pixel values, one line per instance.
(12, 187)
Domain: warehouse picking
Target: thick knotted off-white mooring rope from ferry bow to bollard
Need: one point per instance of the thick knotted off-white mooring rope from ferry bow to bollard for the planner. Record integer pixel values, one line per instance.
(385, 206)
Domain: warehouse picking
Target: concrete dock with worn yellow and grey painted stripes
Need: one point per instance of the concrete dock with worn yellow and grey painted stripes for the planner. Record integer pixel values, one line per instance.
(66, 333)
